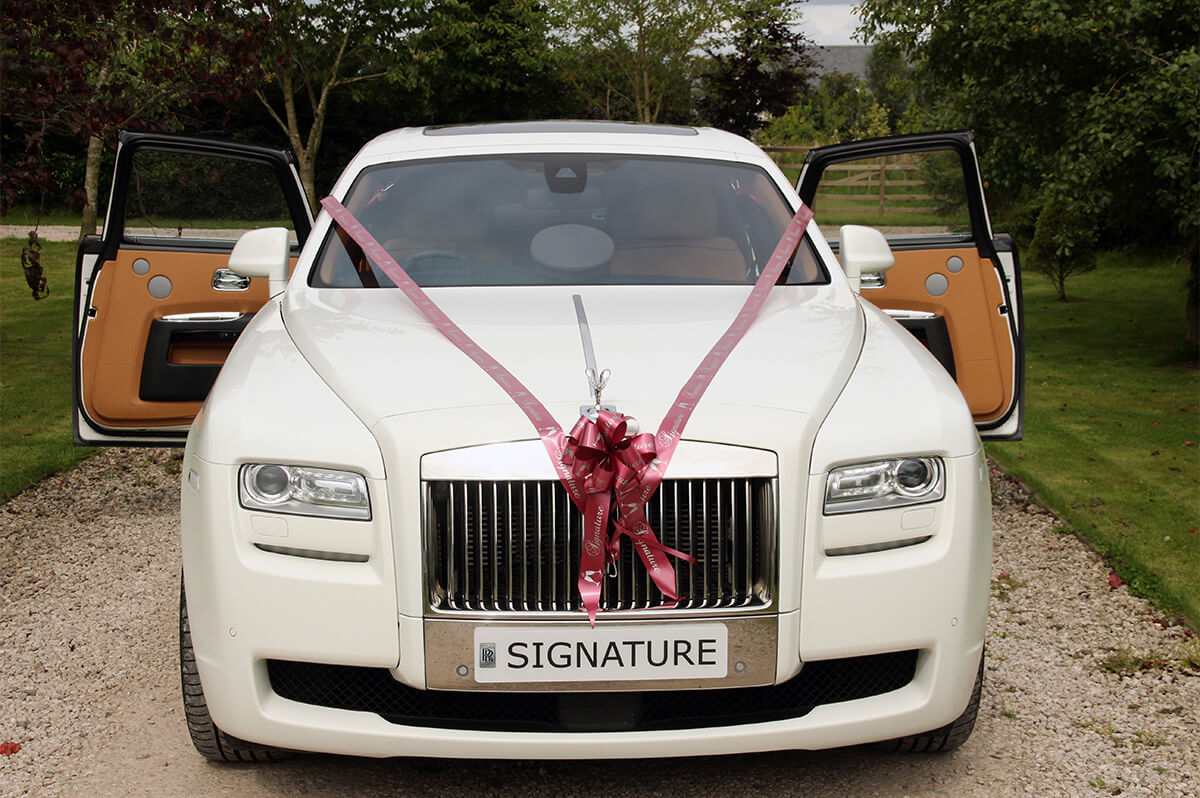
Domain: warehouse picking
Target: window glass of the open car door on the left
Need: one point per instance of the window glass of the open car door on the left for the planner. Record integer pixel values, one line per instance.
(183, 196)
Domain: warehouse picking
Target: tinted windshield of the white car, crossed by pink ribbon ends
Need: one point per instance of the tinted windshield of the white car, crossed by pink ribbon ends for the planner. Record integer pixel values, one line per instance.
(566, 219)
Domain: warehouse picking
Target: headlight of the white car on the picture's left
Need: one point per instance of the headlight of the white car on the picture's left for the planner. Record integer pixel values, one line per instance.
(304, 490)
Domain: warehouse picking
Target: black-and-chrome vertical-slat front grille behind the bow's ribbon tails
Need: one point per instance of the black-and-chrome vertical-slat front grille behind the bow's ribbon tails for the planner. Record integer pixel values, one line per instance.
(514, 547)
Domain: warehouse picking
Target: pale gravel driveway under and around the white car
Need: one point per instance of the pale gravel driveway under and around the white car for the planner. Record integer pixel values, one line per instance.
(1087, 691)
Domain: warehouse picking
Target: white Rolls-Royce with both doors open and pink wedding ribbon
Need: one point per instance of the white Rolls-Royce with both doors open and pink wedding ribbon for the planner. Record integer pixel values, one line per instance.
(563, 440)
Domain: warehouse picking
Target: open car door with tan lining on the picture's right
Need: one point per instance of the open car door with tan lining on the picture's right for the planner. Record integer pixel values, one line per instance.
(956, 285)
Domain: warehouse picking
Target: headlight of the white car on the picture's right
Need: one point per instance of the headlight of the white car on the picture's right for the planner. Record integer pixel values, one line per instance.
(885, 484)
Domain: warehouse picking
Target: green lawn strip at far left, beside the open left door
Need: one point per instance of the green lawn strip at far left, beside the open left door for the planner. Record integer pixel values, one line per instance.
(35, 369)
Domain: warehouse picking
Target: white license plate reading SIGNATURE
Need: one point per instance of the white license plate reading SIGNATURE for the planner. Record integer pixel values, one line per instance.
(518, 655)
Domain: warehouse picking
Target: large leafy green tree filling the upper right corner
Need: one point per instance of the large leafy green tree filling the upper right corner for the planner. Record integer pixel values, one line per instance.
(1082, 104)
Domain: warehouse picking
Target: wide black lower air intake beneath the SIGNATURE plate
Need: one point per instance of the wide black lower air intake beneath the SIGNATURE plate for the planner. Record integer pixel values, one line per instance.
(361, 689)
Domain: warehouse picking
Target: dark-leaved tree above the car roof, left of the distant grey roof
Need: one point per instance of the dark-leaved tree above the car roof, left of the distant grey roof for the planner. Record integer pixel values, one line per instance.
(764, 73)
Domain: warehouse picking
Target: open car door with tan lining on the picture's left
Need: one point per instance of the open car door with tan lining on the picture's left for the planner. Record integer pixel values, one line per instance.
(157, 308)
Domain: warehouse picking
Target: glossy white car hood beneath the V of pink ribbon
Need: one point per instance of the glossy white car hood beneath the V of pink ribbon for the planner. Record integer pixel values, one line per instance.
(383, 358)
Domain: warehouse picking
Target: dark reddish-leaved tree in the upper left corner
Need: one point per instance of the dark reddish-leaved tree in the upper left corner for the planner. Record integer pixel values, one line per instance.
(83, 69)
